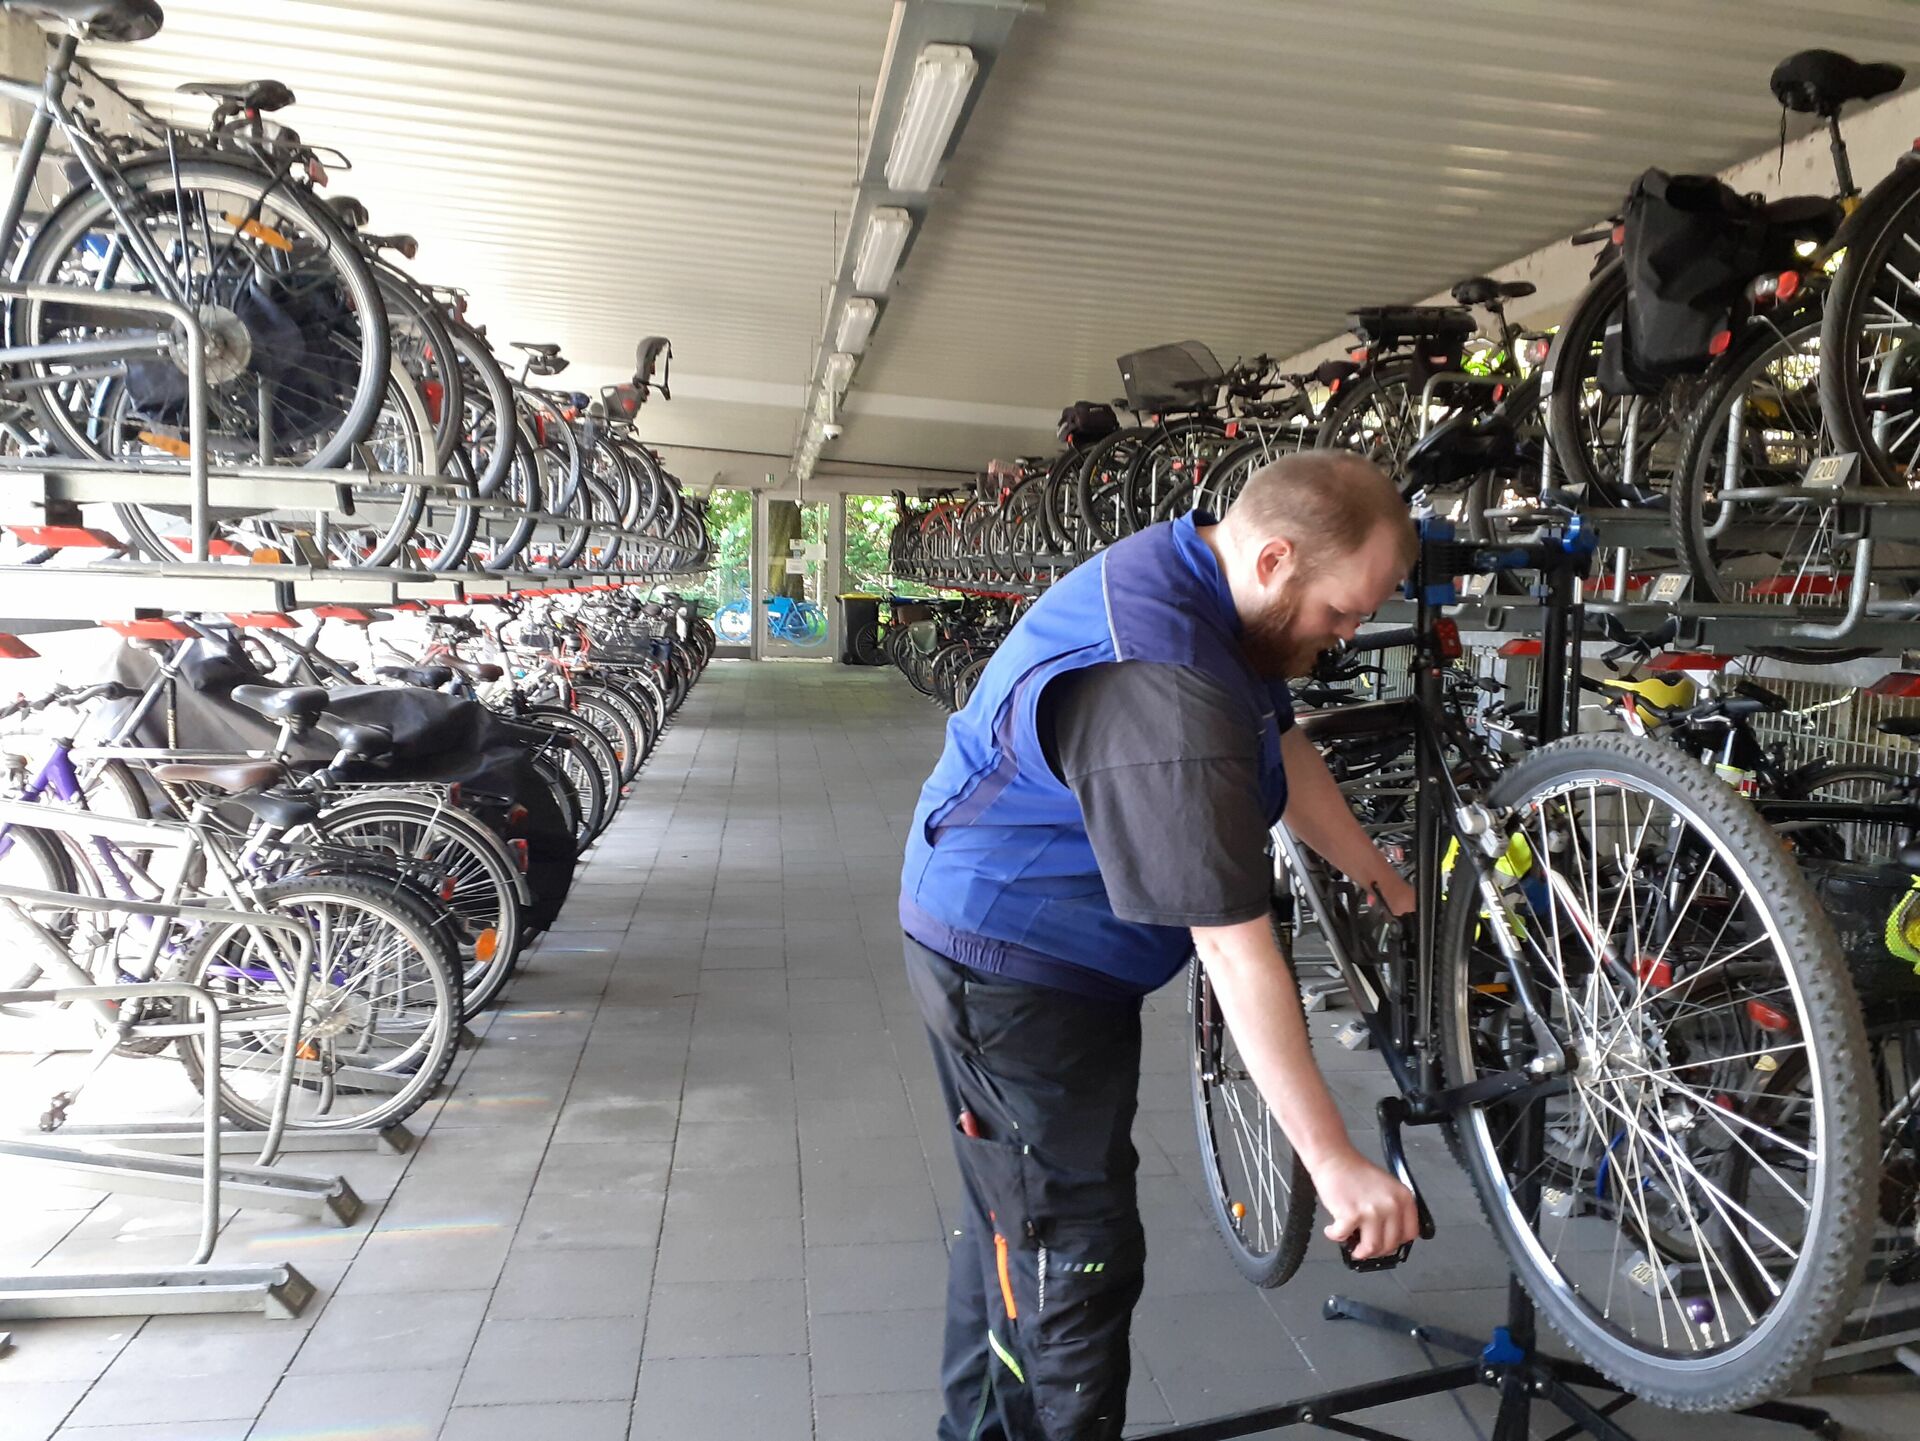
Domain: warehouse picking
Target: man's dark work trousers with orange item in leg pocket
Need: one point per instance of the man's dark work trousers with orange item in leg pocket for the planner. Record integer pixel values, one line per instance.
(1049, 1260)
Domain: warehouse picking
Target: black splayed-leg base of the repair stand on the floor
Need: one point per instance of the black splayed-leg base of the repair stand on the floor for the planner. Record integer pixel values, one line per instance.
(1502, 1365)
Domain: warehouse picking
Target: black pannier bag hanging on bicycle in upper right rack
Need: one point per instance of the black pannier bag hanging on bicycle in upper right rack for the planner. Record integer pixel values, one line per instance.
(1692, 245)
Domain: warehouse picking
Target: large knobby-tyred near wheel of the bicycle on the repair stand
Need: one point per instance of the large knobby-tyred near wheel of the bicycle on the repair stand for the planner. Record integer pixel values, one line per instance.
(1692, 1229)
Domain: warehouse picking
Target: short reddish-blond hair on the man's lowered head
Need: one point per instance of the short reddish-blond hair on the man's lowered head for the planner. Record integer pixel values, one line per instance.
(1328, 504)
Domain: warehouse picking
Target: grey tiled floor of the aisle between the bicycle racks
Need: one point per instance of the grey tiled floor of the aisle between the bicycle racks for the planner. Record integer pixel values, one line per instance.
(694, 1183)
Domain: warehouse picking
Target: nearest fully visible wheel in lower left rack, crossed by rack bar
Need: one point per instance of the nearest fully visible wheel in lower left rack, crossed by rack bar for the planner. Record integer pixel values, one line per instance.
(381, 1022)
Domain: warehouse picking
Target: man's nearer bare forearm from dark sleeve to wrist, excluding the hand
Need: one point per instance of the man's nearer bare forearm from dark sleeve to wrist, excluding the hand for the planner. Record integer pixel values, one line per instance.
(1262, 1006)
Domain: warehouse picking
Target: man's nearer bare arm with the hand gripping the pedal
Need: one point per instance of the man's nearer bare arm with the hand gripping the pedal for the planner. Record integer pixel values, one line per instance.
(1262, 1006)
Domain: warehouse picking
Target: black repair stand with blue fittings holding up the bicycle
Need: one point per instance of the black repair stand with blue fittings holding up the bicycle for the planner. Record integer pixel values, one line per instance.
(1508, 1363)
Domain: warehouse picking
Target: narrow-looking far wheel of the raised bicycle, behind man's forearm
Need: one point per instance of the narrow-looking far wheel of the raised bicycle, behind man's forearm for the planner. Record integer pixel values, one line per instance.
(1259, 1191)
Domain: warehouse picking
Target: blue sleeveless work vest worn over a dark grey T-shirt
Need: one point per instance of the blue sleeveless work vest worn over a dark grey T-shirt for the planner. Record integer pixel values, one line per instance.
(999, 870)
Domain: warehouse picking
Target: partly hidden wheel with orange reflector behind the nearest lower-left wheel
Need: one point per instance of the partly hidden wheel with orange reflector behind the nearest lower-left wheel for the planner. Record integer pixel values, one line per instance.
(479, 887)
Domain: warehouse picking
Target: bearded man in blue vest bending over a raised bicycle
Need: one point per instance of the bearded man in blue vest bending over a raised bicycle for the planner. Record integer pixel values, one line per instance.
(1099, 815)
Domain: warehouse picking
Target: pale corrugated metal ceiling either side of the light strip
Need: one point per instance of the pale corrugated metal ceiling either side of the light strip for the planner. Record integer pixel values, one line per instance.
(1241, 172)
